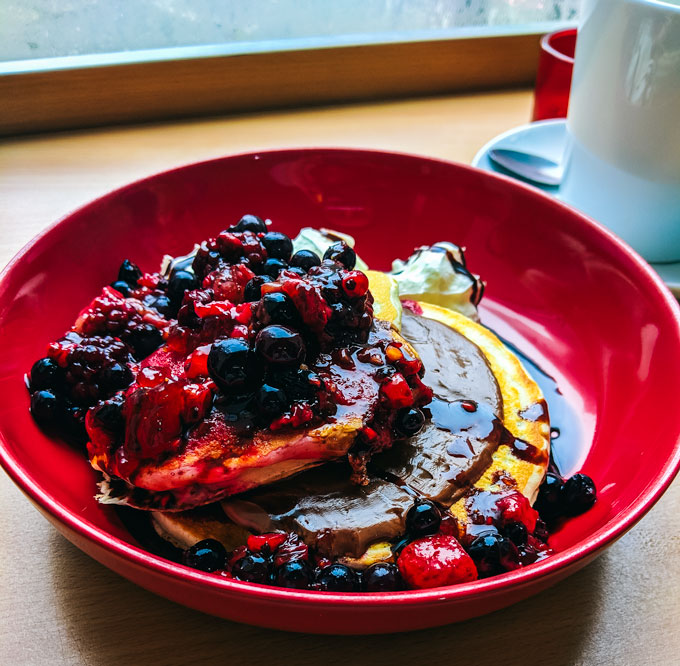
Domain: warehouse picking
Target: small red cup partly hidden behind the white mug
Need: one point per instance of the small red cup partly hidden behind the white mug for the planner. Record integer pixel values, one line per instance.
(553, 79)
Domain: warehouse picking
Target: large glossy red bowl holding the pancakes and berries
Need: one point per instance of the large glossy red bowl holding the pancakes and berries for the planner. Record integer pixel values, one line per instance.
(560, 287)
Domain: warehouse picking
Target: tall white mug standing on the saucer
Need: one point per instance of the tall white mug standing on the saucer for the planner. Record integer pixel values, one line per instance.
(623, 160)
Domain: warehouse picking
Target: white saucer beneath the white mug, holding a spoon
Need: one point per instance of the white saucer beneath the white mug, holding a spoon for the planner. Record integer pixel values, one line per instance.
(548, 138)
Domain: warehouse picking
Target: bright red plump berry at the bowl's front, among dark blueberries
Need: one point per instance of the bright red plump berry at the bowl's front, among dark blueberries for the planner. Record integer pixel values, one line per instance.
(434, 562)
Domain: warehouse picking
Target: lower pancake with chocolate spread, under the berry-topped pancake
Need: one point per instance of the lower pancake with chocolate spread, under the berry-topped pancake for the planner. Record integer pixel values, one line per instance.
(506, 439)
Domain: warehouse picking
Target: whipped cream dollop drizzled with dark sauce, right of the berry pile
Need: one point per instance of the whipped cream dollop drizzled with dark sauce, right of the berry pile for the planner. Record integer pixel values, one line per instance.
(437, 274)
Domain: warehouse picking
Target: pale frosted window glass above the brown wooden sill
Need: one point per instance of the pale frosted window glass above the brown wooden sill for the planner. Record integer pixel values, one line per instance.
(47, 28)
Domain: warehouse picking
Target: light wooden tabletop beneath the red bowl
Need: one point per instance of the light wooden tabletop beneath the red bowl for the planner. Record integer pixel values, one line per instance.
(60, 607)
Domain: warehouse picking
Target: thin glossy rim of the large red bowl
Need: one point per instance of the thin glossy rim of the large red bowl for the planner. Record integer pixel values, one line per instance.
(515, 579)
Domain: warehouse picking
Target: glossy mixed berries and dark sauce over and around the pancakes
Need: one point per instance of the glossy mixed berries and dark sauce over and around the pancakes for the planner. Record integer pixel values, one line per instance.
(274, 341)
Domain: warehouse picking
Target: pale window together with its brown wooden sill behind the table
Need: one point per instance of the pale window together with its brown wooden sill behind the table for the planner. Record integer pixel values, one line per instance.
(78, 63)
